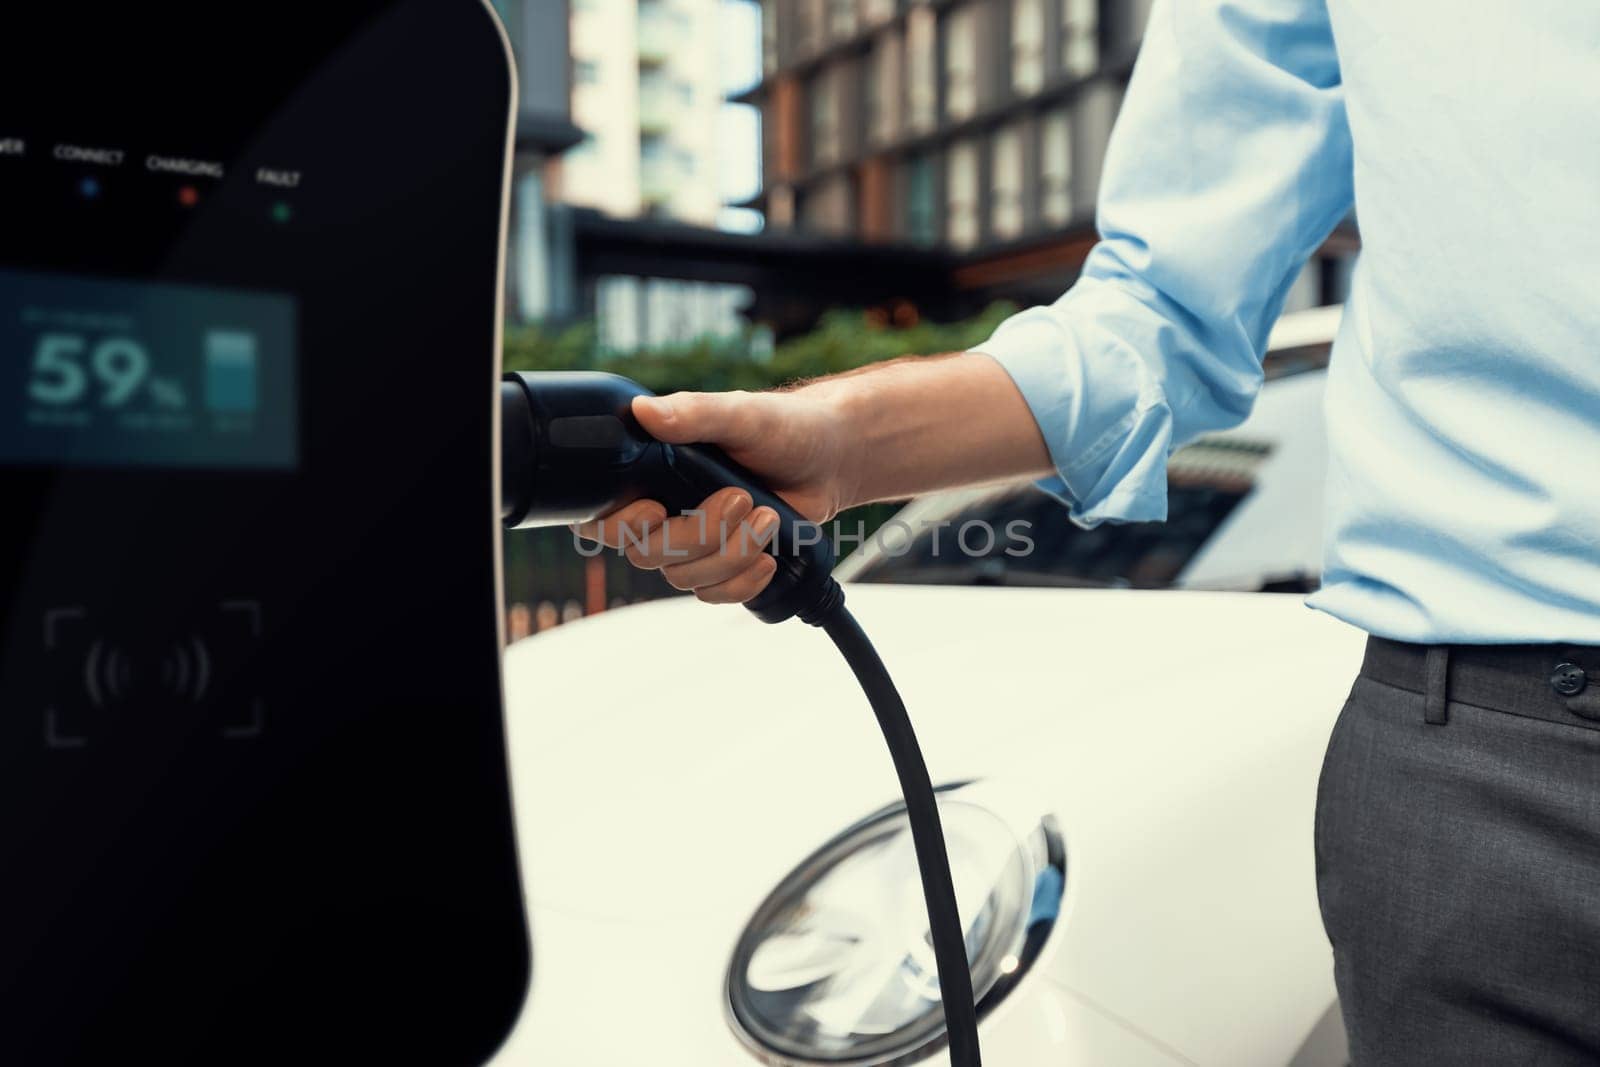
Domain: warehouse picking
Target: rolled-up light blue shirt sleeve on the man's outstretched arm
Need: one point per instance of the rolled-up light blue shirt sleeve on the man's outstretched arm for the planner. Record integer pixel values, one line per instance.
(1228, 167)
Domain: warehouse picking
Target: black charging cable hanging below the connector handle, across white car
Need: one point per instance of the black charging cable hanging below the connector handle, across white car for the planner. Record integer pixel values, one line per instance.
(927, 834)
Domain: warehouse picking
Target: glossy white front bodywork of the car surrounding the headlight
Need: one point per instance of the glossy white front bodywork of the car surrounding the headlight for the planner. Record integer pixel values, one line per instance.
(674, 762)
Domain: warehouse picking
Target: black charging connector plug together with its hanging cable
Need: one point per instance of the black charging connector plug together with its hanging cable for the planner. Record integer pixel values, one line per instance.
(572, 452)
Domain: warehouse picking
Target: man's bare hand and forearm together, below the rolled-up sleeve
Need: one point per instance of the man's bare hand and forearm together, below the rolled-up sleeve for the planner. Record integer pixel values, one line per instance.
(879, 434)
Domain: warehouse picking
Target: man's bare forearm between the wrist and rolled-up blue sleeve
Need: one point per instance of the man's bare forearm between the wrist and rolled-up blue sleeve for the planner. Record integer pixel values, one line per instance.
(934, 423)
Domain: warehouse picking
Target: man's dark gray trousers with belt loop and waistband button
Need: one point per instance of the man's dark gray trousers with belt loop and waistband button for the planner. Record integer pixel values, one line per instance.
(1458, 855)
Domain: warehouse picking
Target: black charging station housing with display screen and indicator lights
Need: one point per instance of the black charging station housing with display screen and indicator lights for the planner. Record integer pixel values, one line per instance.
(254, 781)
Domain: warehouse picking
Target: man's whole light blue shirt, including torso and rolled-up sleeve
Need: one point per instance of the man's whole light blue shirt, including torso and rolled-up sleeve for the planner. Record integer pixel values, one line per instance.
(1463, 497)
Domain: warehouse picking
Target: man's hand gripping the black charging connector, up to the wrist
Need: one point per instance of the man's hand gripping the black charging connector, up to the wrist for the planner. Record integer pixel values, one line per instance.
(793, 441)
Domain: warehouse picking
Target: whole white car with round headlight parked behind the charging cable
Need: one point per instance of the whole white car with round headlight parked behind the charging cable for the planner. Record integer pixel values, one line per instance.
(719, 873)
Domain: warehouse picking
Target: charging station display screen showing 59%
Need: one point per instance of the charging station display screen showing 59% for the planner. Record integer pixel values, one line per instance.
(114, 374)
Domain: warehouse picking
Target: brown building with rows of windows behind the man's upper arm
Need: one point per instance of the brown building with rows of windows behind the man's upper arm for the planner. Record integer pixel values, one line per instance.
(975, 127)
